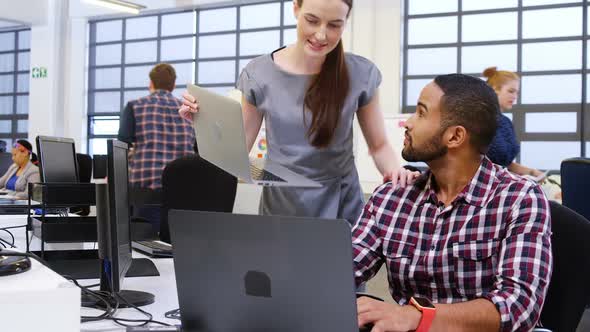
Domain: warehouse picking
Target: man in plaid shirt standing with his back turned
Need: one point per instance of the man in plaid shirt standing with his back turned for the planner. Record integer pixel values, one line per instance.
(157, 133)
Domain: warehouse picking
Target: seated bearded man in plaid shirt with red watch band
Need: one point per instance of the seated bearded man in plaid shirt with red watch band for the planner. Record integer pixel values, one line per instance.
(468, 235)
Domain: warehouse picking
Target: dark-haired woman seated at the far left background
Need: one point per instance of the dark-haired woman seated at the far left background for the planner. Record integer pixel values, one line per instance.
(18, 176)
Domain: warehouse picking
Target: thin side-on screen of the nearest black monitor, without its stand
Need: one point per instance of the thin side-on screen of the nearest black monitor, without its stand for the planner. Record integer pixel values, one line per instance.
(119, 211)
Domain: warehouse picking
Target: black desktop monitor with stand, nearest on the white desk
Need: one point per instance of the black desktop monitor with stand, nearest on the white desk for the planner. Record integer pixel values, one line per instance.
(114, 234)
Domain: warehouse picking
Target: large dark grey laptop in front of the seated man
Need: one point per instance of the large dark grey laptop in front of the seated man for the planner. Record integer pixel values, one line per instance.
(263, 273)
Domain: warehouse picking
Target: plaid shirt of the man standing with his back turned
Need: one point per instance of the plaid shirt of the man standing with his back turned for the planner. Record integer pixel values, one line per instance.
(161, 136)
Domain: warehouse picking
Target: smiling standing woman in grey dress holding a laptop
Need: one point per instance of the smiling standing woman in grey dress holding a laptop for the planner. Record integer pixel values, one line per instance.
(308, 94)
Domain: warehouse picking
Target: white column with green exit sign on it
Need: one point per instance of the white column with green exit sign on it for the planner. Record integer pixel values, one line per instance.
(57, 103)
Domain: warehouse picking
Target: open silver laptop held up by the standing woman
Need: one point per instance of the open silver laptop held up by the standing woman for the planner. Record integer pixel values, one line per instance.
(221, 140)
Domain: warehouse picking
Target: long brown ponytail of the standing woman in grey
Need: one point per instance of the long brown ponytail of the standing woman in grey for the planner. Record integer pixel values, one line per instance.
(326, 94)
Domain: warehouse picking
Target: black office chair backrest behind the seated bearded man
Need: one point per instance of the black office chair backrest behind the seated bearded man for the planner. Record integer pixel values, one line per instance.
(569, 289)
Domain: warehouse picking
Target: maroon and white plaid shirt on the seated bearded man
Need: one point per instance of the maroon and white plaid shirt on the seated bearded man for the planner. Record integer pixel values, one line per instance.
(491, 242)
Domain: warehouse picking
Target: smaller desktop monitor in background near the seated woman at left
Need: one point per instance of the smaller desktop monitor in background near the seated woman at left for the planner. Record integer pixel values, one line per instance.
(57, 159)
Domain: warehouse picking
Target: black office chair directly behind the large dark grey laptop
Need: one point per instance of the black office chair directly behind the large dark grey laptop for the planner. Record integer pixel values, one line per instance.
(192, 183)
